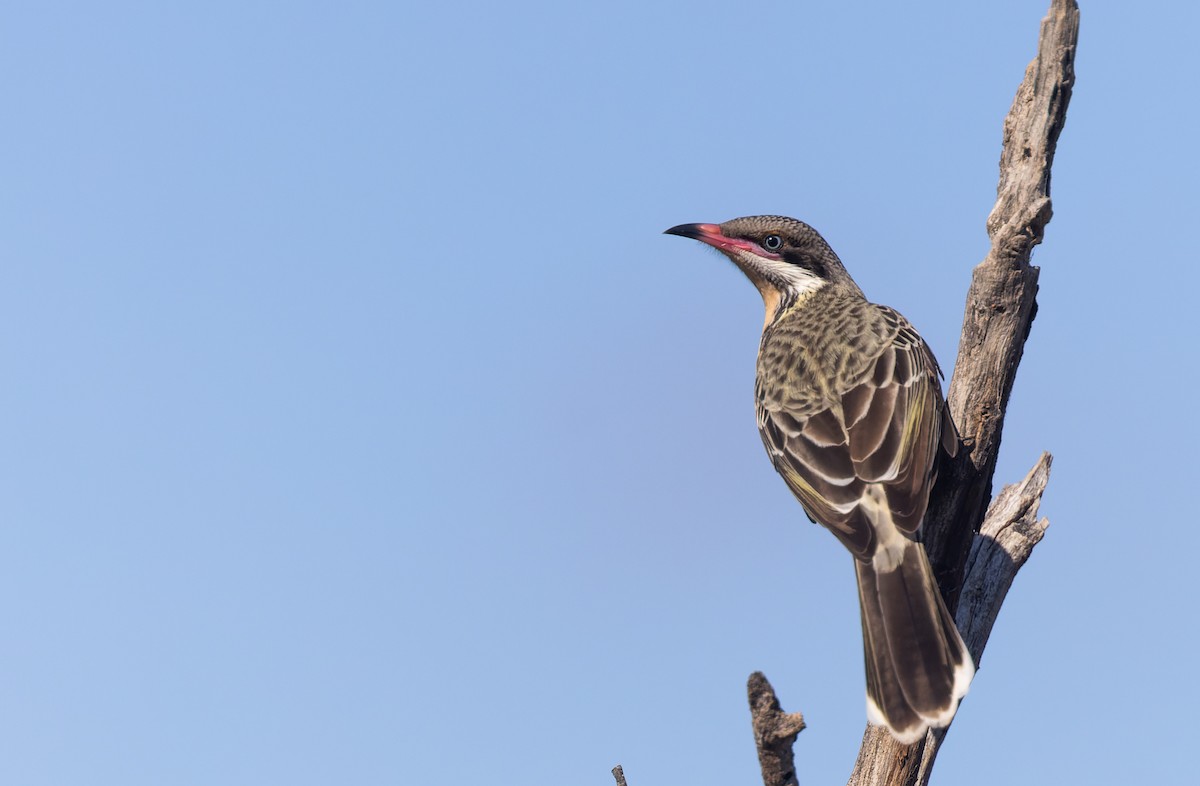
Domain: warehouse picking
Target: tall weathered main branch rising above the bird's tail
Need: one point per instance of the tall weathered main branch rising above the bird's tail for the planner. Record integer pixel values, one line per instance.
(1001, 303)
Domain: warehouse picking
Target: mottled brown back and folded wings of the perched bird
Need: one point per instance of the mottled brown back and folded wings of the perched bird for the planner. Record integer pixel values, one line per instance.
(849, 395)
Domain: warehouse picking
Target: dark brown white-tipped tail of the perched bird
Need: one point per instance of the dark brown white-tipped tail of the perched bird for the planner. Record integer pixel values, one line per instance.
(917, 665)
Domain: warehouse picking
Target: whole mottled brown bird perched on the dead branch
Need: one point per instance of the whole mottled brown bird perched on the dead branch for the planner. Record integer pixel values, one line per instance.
(850, 409)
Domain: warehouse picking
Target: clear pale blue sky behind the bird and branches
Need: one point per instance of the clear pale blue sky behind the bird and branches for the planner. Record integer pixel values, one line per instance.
(362, 428)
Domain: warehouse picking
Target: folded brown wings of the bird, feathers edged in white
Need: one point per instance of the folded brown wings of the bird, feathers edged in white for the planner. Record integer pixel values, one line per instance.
(881, 430)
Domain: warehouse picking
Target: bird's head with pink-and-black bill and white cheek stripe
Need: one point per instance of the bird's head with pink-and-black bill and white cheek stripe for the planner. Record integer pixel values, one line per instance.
(785, 259)
